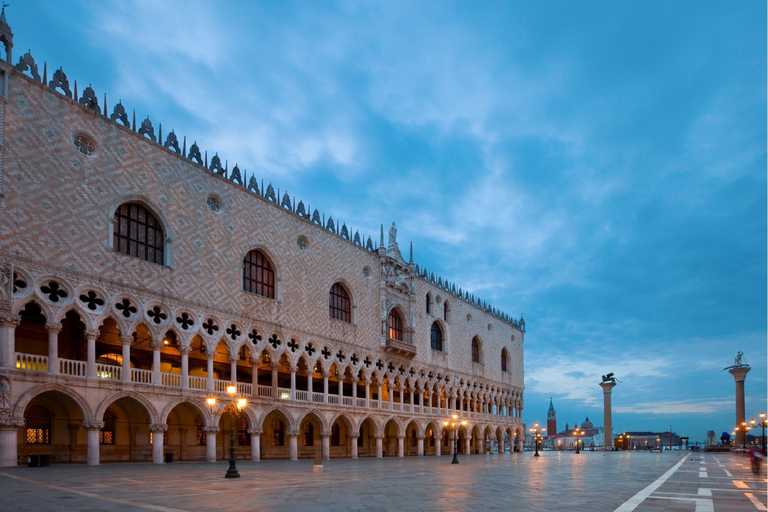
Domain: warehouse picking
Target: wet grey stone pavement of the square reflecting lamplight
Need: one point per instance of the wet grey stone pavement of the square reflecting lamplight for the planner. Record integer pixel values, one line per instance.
(557, 481)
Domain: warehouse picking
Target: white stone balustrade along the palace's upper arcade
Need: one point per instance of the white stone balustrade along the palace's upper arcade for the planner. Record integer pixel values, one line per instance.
(37, 363)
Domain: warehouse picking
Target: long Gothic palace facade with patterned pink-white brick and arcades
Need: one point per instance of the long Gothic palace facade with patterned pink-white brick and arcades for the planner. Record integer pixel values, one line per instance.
(139, 278)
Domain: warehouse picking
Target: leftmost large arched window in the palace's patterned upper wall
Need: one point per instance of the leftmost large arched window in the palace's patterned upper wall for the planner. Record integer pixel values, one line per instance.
(138, 233)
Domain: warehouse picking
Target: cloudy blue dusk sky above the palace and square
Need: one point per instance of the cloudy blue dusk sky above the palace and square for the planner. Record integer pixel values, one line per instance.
(599, 167)
